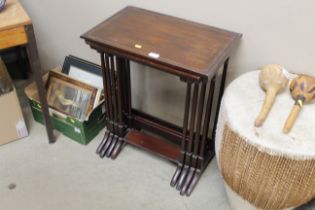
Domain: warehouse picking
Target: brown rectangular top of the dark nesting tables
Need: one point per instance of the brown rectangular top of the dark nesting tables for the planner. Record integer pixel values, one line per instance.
(185, 45)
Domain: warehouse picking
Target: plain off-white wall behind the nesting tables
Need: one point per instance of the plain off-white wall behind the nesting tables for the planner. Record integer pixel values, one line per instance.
(281, 31)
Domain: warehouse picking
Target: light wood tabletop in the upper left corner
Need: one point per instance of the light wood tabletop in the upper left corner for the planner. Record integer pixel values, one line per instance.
(13, 15)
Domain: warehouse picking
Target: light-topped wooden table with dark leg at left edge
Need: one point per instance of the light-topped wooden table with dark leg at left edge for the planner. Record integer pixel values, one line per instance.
(16, 29)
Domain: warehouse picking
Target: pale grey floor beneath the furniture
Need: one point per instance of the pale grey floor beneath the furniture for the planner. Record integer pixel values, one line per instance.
(35, 175)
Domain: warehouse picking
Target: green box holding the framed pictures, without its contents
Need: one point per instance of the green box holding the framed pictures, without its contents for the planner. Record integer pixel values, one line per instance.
(80, 131)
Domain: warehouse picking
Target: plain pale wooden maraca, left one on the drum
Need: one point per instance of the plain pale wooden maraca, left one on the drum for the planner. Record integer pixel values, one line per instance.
(273, 80)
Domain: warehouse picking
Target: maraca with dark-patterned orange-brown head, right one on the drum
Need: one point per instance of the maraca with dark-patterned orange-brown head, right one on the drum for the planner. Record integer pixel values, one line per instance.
(302, 90)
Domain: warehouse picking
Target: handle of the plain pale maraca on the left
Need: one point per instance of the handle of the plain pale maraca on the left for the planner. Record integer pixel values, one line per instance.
(269, 100)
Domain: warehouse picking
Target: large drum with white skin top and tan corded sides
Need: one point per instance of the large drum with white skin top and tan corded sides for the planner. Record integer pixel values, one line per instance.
(262, 167)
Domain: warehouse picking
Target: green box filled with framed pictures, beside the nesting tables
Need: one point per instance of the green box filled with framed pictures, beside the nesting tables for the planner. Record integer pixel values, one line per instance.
(75, 97)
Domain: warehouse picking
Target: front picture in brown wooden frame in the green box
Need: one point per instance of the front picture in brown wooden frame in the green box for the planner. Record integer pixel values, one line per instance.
(70, 96)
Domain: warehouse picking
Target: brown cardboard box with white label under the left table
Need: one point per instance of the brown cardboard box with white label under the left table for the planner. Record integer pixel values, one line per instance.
(12, 124)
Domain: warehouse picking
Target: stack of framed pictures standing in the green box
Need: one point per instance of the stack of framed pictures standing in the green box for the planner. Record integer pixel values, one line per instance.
(77, 90)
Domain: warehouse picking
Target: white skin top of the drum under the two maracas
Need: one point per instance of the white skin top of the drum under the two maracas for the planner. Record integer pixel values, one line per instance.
(241, 104)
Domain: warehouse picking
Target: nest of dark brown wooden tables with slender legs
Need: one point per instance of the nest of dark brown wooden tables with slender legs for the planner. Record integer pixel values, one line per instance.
(191, 51)
